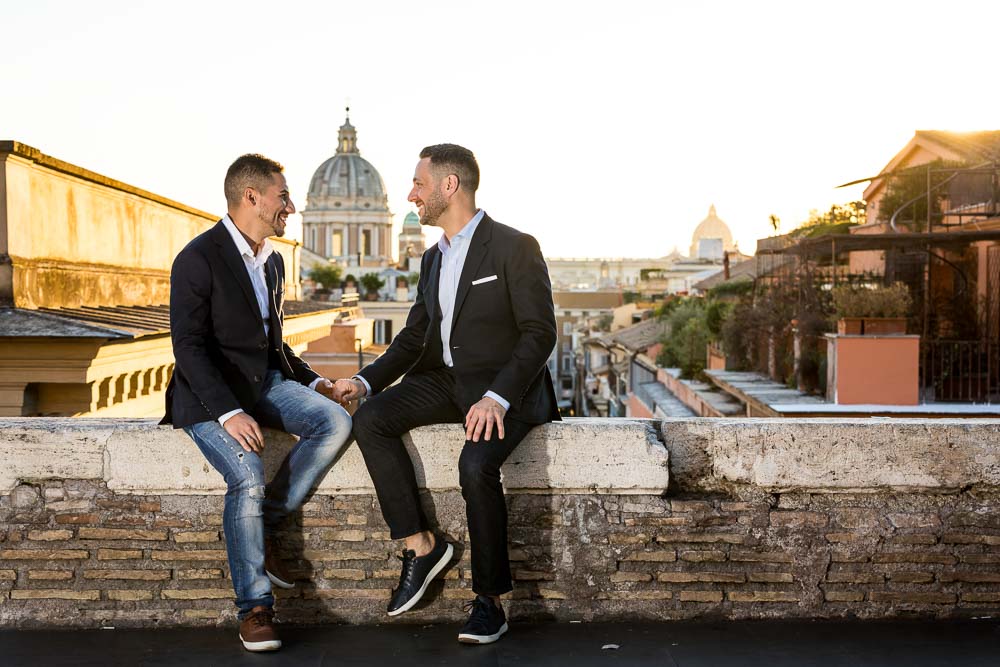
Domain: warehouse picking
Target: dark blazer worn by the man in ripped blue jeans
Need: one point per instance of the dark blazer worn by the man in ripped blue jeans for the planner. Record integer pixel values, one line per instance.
(220, 348)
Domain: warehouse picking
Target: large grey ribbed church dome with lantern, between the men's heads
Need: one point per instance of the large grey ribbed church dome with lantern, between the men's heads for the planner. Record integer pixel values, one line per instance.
(347, 180)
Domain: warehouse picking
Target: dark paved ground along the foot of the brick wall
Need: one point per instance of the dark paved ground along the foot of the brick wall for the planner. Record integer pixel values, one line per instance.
(681, 644)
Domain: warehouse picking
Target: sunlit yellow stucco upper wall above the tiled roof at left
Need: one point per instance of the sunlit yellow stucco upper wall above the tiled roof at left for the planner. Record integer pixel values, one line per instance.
(76, 238)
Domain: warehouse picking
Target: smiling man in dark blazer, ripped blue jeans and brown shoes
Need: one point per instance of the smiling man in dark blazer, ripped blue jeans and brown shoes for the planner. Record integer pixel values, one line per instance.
(234, 373)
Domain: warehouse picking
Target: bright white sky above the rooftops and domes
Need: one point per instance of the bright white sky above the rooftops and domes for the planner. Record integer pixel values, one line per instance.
(603, 128)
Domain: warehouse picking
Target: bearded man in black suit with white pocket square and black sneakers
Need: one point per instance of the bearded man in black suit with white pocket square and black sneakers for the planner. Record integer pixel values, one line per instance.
(474, 350)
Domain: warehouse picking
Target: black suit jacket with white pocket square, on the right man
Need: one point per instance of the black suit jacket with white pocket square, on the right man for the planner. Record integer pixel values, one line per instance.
(503, 330)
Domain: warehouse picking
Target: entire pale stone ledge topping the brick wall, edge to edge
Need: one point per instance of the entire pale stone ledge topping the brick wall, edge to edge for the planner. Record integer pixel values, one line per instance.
(619, 456)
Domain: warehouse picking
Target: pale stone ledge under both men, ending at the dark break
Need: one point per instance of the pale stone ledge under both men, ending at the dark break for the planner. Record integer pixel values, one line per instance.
(136, 456)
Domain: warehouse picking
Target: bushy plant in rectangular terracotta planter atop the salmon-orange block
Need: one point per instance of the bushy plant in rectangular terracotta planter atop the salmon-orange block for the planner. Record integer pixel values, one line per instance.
(870, 311)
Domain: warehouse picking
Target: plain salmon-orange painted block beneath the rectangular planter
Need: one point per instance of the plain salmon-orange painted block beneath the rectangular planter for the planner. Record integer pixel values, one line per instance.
(880, 370)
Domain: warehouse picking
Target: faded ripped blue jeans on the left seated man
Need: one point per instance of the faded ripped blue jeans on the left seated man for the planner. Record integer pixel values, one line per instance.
(253, 510)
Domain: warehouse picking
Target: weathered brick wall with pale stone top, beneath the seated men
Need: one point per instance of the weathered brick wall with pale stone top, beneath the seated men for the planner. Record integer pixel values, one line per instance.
(75, 552)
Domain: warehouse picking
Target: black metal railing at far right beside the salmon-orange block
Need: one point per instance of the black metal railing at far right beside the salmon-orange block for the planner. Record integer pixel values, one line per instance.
(966, 371)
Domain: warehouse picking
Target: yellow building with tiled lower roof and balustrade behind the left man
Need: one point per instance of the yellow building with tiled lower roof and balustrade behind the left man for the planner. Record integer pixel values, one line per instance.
(84, 286)
